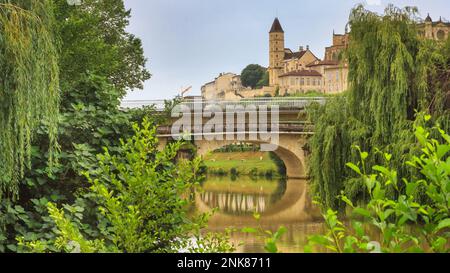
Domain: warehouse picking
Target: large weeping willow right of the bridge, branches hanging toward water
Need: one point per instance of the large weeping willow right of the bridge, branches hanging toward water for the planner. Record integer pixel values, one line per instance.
(393, 73)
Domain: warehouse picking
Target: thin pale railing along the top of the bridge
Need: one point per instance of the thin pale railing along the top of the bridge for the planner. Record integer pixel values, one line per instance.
(282, 103)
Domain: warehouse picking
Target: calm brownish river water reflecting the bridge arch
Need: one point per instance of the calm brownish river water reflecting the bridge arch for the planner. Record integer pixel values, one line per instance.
(279, 202)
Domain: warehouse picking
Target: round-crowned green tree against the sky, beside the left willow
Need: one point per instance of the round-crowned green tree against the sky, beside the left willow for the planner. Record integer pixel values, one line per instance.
(95, 40)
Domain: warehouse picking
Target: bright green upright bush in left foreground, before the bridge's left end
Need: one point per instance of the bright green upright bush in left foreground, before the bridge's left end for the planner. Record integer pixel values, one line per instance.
(142, 196)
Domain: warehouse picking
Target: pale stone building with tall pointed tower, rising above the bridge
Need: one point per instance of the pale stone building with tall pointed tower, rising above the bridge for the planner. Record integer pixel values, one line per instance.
(302, 71)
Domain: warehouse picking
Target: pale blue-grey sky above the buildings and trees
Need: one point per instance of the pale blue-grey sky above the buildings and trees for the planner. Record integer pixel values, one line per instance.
(189, 42)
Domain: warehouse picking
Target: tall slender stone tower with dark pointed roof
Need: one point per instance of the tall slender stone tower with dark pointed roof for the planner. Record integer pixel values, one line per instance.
(276, 52)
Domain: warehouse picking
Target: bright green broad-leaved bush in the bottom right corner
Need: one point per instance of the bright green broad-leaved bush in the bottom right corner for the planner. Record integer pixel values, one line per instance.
(406, 222)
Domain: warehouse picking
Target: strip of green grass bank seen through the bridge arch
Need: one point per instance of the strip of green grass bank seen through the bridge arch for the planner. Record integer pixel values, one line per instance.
(243, 162)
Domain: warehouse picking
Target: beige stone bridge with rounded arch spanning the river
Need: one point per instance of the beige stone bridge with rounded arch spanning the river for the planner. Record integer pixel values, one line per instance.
(292, 133)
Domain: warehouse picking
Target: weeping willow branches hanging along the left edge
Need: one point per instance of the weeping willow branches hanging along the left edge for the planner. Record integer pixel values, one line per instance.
(29, 84)
